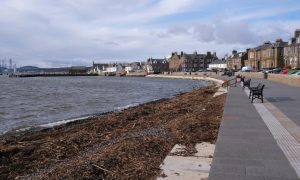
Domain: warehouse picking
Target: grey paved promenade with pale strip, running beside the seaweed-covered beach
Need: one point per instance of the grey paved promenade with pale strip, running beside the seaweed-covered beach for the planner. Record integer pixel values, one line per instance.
(259, 141)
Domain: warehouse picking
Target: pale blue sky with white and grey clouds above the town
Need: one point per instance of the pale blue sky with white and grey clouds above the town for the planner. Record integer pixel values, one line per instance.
(60, 33)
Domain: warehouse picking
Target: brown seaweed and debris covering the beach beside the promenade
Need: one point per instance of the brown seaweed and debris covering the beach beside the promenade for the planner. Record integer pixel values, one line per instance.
(121, 145)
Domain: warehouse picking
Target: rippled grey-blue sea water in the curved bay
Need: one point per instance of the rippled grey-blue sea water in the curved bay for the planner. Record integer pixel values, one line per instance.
(42, 101)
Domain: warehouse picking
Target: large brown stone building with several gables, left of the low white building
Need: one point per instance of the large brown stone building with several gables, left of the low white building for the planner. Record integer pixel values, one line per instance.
(190, 62)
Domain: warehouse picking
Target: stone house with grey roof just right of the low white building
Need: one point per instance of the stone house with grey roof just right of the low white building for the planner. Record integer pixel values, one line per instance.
(237, 60)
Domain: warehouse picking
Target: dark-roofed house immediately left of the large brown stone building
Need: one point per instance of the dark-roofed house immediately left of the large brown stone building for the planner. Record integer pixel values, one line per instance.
(157, 65)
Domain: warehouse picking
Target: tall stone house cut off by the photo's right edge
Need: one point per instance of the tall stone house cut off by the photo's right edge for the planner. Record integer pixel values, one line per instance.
(292, 52)
